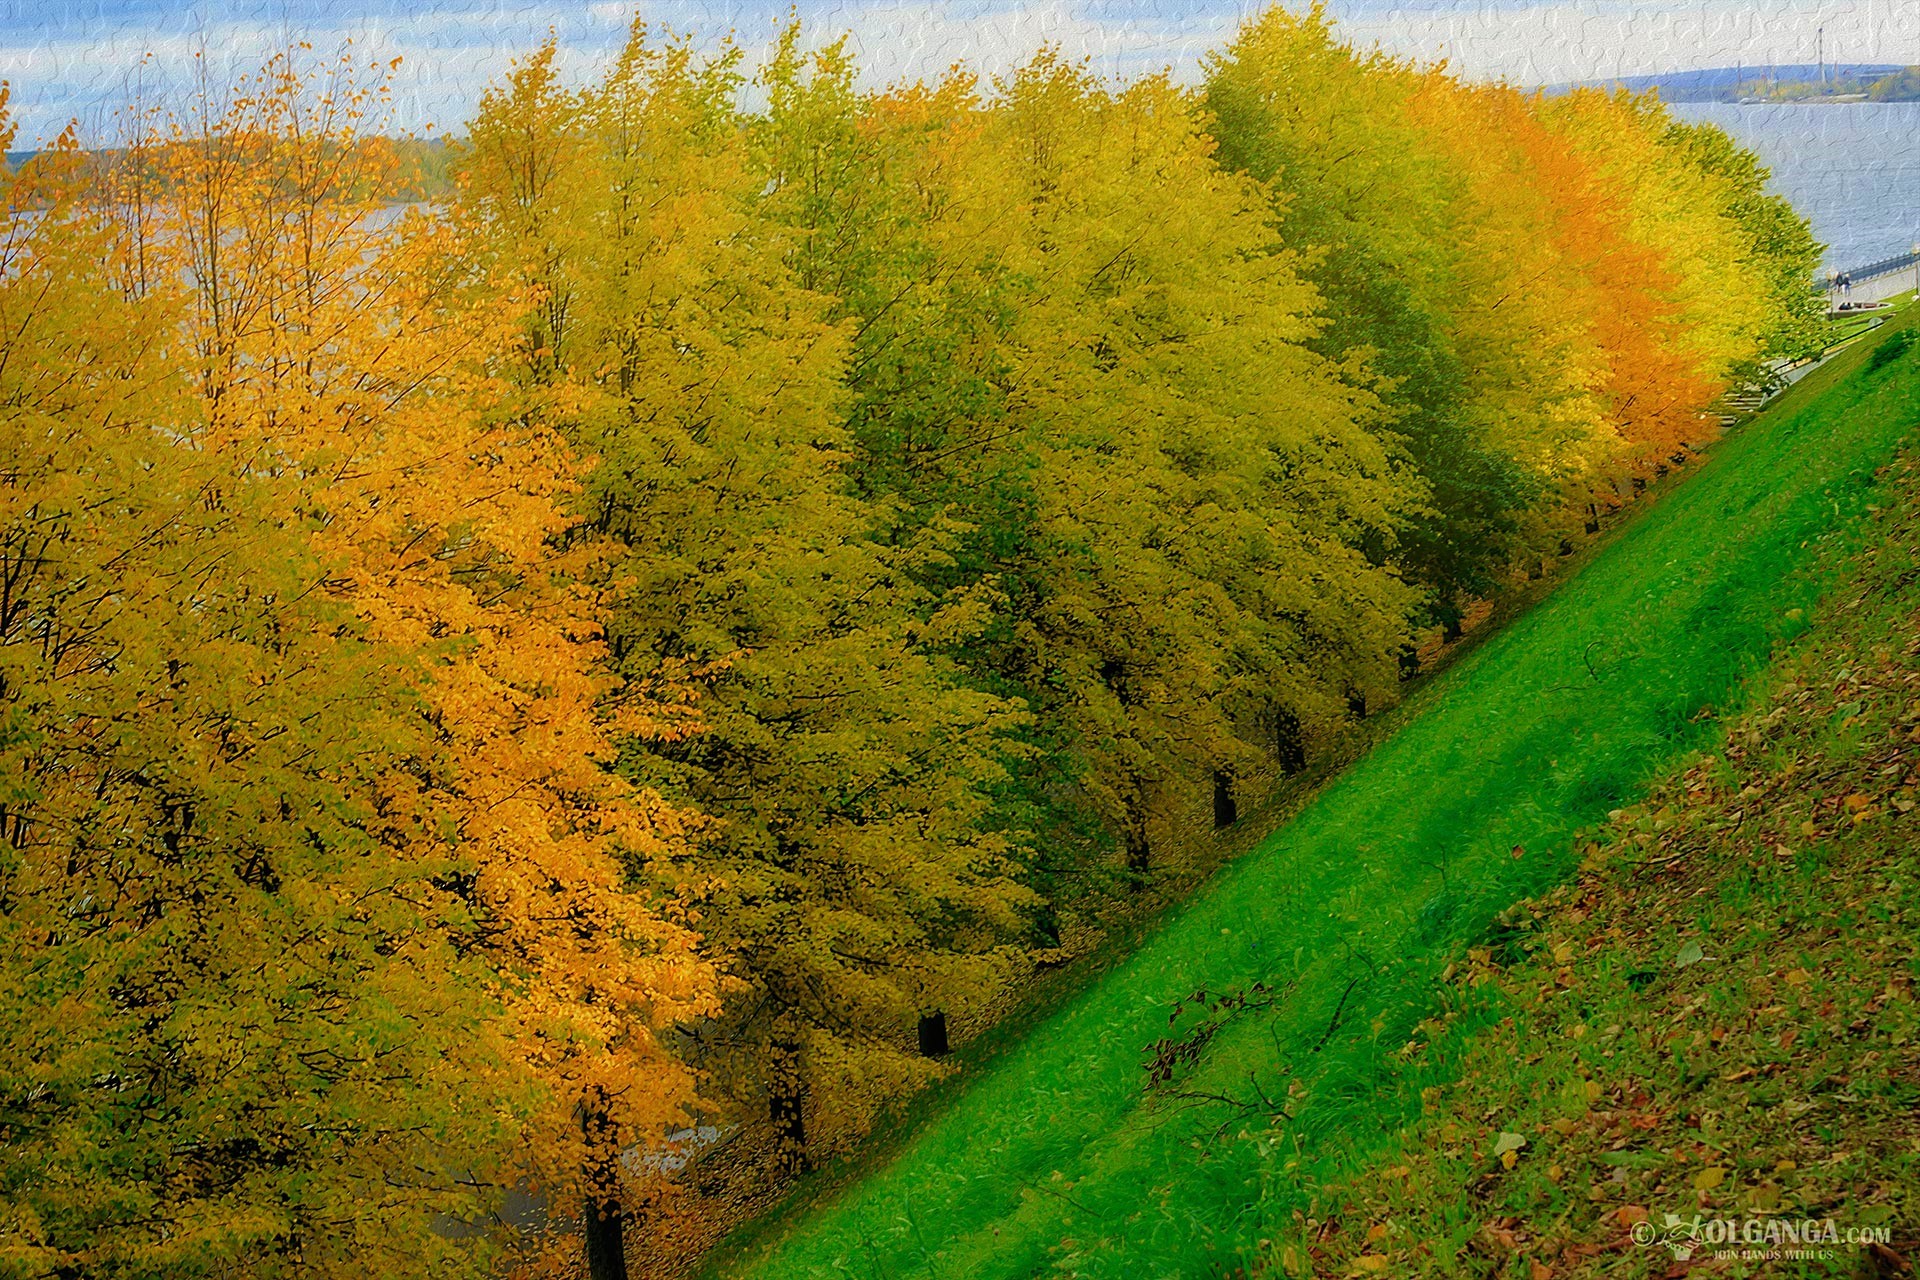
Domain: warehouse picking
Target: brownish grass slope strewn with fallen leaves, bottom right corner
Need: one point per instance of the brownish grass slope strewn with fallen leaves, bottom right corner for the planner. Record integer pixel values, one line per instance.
(1714, 1024)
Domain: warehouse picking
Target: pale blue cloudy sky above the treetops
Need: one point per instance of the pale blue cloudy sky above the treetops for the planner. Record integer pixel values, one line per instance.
(78, 59)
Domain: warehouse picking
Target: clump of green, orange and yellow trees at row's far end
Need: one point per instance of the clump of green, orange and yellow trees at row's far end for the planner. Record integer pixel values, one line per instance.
(1550, 291)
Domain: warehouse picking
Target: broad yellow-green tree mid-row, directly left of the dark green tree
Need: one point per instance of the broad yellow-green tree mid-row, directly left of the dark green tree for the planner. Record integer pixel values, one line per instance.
(1057, 296)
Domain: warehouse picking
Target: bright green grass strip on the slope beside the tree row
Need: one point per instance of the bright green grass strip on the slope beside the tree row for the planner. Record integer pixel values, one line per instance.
(1178, 1116)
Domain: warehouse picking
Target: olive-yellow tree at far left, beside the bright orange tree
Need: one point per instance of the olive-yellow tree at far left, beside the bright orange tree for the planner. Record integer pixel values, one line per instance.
(243, 1031)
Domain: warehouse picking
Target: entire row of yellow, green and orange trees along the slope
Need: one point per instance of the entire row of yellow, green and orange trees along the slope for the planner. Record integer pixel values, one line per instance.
(494, 684)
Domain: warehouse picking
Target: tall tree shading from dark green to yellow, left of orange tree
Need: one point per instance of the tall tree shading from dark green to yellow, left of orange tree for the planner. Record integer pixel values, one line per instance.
(1418, 264)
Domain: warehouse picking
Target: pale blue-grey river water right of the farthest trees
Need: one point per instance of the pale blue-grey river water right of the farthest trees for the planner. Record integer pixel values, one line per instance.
(1854, 168)
